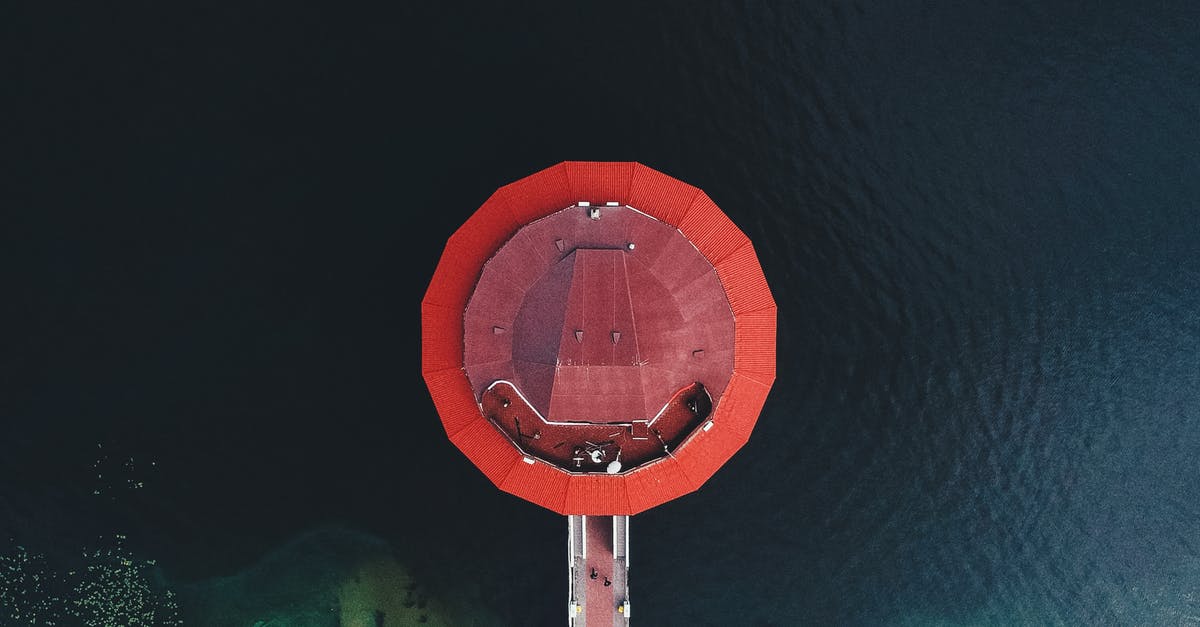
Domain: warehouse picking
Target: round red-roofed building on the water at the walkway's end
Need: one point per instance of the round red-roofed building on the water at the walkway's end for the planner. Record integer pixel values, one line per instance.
(591, 314)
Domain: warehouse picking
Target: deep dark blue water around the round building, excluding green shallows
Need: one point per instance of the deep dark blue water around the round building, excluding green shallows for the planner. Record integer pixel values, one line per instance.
(981, 224)
